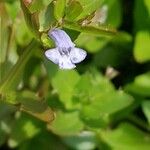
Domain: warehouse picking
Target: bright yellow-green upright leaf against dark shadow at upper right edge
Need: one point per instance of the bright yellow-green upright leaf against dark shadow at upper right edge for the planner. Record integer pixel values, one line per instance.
(142, 46)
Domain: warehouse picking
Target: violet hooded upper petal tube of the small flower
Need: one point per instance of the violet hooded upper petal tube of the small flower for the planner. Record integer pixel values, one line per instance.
(61, 38)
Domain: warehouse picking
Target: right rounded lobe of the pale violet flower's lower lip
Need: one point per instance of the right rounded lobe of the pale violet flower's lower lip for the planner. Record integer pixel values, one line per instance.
(77, 55)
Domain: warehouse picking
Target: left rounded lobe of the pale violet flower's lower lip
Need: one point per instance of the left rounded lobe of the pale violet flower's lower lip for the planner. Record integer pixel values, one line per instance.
(53, 55)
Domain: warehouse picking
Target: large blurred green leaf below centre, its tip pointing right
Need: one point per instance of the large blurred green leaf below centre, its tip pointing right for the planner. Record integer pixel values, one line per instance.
(99, 112)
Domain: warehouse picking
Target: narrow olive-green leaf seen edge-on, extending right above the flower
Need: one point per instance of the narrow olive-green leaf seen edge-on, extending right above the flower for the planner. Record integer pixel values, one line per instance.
(95, 30)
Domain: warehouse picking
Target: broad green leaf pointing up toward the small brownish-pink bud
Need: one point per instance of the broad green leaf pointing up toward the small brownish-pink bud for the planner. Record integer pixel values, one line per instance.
(90, 86)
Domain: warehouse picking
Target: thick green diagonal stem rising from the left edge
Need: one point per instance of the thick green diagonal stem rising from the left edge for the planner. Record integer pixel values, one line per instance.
(11, 80)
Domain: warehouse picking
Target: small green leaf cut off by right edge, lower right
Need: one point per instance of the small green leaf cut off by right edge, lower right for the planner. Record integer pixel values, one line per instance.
(146, 109)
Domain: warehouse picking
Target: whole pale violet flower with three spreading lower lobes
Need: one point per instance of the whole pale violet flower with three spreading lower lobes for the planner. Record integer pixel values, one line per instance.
(66, 55)
